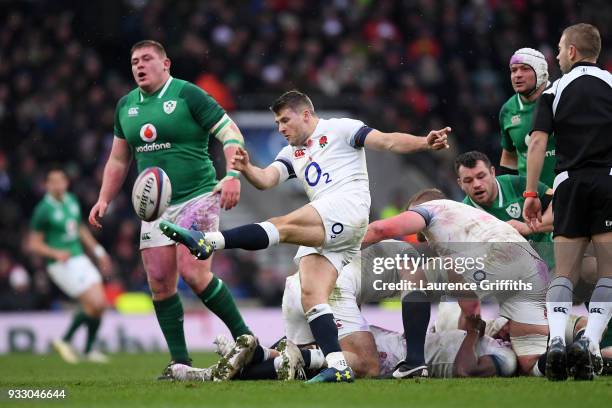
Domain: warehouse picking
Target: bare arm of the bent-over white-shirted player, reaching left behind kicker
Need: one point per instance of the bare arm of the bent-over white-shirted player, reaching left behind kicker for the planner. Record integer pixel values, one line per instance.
(406, 223)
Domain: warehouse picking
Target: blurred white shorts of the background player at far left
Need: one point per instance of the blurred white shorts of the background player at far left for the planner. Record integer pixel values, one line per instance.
(74, 276)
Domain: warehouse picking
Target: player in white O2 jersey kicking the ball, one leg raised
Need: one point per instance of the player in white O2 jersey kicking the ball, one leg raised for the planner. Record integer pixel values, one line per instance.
(327, 156)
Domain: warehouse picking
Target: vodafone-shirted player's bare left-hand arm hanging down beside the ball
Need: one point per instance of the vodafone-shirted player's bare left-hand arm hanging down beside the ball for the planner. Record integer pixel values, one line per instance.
(115, 171)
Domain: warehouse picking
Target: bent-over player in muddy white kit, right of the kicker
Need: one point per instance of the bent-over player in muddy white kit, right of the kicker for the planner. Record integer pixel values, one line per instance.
(458, 232)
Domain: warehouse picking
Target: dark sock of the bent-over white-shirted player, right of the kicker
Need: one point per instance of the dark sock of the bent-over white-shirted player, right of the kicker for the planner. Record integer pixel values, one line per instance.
(416, 309)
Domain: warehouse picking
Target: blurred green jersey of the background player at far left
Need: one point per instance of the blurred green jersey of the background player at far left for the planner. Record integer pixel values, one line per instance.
(59, 222)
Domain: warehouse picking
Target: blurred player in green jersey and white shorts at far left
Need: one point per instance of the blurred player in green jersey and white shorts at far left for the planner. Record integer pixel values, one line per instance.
(58, 234)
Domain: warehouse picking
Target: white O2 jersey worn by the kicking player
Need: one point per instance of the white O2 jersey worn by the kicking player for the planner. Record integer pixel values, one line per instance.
(333, 159)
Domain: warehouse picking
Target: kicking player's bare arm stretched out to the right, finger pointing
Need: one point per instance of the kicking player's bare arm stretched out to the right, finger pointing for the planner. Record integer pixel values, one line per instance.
(406, 143)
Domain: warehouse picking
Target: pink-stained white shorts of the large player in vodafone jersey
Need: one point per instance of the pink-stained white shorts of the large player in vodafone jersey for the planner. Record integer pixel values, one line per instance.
(201, 211)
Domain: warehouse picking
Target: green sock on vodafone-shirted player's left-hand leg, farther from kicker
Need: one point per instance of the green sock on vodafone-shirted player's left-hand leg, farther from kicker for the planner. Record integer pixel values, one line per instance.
(170, 317)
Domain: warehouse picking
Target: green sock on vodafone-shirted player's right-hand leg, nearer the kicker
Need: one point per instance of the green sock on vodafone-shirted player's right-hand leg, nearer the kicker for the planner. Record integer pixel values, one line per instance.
(219, 300)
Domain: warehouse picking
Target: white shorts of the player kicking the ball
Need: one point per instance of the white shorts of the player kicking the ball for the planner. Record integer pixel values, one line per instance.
(345, 218)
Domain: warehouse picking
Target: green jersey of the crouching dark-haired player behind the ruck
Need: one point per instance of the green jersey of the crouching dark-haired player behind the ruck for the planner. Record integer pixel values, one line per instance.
(509, 206)
